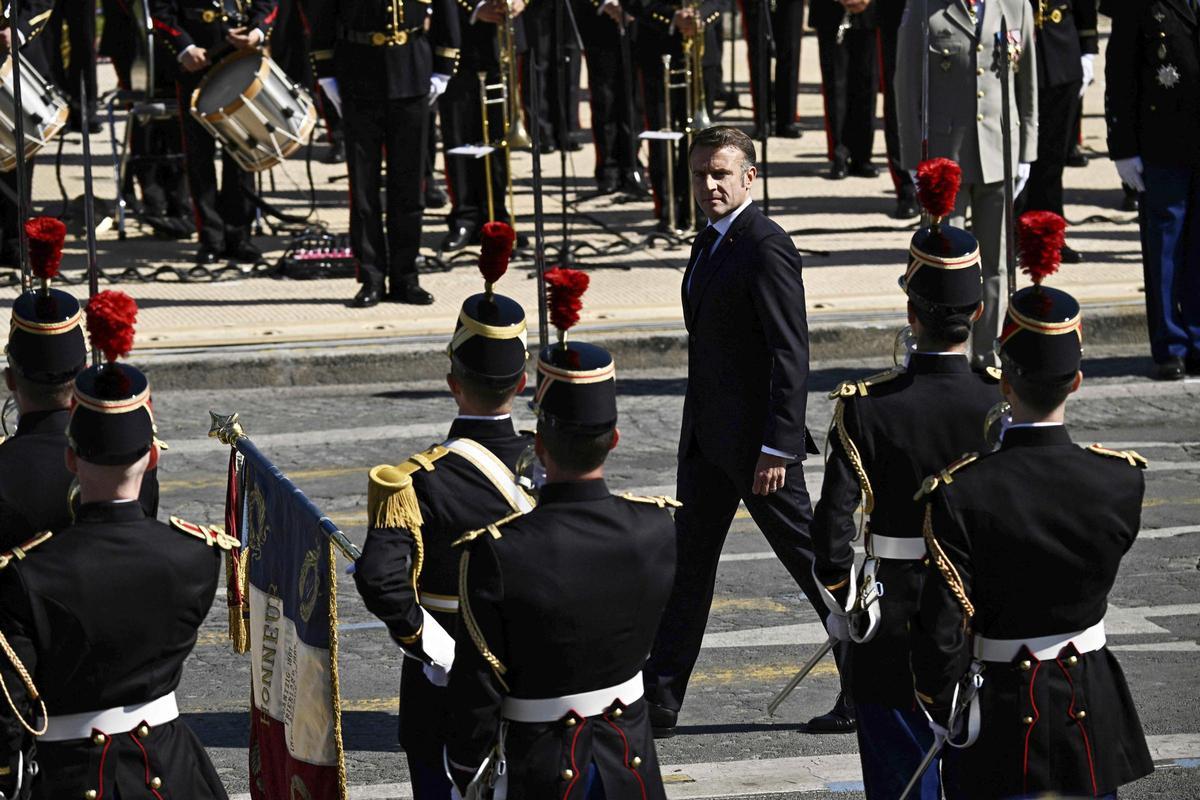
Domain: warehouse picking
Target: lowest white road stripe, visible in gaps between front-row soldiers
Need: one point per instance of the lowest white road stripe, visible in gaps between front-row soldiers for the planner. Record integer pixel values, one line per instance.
(799, 774)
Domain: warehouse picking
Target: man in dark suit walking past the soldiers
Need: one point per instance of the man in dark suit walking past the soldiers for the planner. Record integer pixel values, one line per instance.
(743, 437)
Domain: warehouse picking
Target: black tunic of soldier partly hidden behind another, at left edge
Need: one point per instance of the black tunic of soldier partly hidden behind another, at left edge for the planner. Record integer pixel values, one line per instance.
(35, 483)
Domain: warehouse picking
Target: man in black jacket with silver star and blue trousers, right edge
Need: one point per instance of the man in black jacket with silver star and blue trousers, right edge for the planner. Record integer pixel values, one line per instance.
(1153, 105)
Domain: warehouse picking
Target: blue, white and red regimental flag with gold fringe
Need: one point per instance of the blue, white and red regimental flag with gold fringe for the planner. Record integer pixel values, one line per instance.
(287, 603)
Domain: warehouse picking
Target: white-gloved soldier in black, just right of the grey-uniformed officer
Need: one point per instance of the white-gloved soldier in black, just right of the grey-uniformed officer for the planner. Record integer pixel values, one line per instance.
(1067, 44)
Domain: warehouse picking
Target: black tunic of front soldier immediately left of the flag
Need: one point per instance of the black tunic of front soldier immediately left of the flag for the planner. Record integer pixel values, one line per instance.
(101, 639)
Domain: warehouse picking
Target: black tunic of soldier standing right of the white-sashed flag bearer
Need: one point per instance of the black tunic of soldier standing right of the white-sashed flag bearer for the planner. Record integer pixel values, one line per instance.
(561, 601)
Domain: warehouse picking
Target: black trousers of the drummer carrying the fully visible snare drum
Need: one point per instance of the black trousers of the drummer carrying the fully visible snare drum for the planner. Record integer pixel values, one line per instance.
(223, 218)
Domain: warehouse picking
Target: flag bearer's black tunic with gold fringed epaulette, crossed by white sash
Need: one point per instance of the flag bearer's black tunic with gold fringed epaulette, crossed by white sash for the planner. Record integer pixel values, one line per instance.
(454, 497)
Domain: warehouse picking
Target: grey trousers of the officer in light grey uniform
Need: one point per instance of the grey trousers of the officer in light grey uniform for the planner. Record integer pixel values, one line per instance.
(987, 202)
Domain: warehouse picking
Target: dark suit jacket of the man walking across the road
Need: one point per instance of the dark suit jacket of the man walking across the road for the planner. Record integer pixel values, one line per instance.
(748, 347)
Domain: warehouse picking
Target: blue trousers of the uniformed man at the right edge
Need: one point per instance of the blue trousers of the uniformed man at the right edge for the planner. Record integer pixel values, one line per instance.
(1171, 258)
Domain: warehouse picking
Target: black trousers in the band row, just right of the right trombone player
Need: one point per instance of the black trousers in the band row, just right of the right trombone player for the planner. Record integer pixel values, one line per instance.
(788, 28)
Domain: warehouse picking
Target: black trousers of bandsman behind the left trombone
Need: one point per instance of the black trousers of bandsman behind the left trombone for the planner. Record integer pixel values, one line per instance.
(463, 124)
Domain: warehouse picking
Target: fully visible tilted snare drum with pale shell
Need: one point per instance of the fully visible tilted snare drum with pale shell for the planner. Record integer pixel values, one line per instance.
(250, 105)
